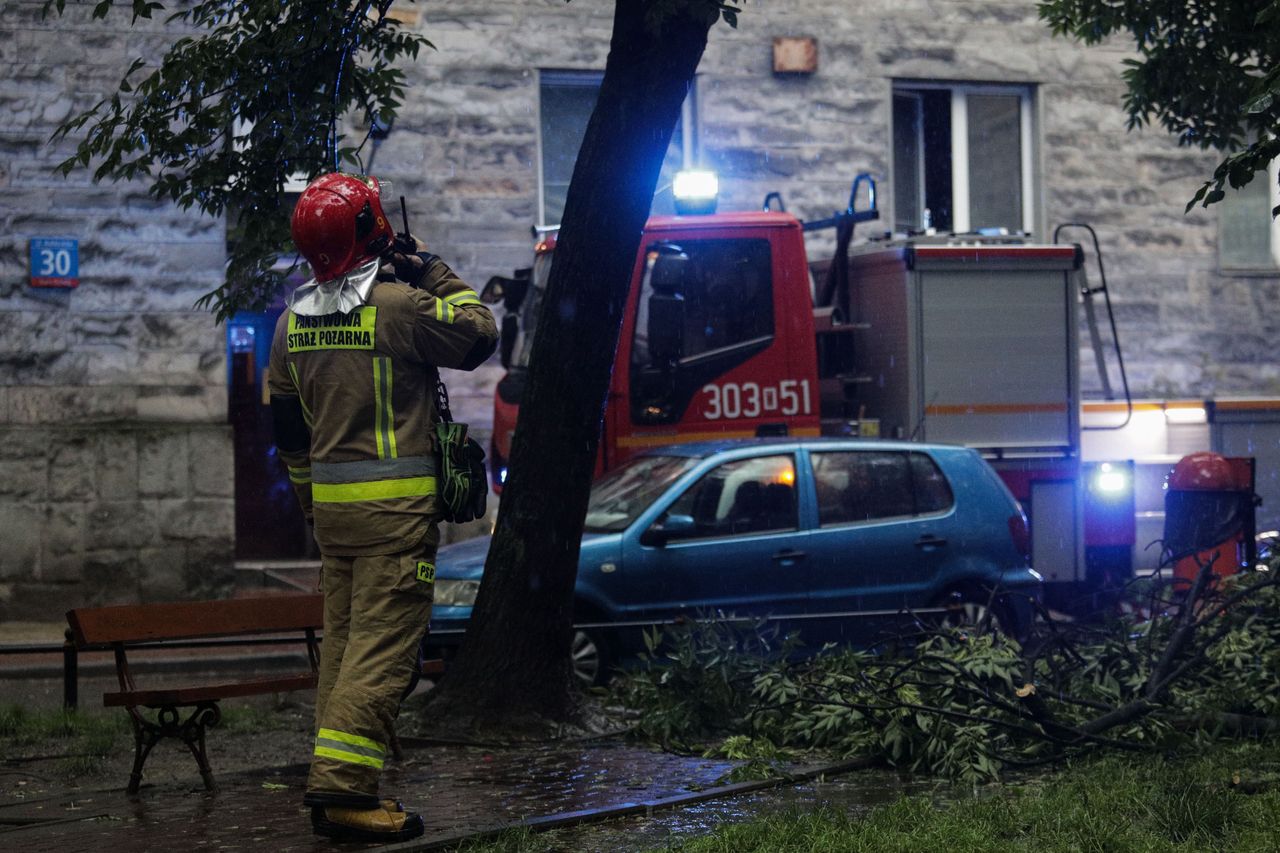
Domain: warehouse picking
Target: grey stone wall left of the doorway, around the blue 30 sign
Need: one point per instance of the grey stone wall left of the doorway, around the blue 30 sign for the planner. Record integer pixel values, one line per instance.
(116, 457)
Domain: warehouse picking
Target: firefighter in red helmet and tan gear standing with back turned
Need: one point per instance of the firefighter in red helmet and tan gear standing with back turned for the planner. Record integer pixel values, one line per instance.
(353, 378)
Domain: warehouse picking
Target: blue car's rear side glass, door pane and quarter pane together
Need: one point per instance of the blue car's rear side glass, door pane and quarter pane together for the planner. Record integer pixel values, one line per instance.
(866, 486)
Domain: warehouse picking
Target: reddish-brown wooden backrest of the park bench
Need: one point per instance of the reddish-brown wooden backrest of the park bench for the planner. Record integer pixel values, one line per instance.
(196, 619)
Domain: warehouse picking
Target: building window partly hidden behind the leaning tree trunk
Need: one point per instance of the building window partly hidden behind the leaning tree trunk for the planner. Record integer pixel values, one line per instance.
(565, 104)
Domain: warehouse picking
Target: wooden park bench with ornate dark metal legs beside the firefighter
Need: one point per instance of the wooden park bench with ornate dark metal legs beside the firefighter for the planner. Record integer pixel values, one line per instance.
(131, 627)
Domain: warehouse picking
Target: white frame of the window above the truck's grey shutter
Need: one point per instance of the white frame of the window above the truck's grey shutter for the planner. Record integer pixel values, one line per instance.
(959, 150)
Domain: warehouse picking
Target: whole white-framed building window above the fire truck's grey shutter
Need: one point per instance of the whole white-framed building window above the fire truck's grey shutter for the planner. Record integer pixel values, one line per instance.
(963, 158)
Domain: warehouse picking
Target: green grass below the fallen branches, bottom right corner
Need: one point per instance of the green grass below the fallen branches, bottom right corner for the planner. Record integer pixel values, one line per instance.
(1223, 800)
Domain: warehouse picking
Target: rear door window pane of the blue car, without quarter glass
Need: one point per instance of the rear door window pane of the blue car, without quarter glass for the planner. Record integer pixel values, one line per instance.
(862, 486)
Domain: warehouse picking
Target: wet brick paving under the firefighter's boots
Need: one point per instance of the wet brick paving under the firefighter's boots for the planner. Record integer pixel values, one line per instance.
(460, 791)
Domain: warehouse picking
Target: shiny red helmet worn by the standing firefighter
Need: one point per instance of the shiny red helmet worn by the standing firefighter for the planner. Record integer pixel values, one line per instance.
(340, 225)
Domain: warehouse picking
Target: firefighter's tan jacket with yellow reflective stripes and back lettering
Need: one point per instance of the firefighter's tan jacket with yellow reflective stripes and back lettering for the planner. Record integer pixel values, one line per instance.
(354, 404)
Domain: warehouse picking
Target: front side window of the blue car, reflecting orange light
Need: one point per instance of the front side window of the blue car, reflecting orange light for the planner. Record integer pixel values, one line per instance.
(742, 498)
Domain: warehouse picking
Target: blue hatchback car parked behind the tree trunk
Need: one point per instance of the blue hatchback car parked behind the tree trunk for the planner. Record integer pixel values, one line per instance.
(842, 540)
